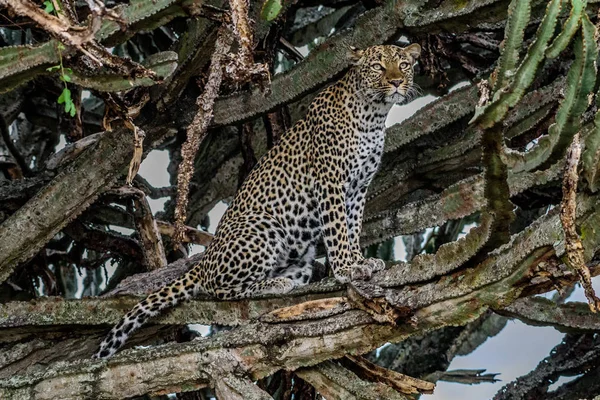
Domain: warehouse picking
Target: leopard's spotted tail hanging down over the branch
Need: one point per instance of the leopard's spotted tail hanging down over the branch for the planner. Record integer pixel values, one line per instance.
(169, 296)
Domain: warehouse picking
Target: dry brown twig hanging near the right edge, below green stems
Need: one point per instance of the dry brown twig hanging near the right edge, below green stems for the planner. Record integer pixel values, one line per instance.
(574, 256)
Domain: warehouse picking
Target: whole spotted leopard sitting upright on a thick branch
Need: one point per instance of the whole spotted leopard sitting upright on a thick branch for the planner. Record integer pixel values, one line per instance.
(310, 188)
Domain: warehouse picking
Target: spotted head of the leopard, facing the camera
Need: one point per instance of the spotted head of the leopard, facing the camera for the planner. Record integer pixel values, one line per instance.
(385, 73)
